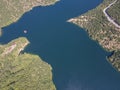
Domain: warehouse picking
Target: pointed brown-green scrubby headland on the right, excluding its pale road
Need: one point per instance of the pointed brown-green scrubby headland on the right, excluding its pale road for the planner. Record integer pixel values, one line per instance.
(102, 30)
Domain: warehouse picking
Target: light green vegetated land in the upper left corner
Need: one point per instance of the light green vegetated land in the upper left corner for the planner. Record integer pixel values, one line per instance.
(12, 10)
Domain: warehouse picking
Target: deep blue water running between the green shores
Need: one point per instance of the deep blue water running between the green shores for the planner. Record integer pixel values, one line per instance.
(78, 62)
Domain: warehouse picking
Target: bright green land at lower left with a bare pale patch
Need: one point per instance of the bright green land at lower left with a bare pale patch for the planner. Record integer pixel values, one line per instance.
(23, 71)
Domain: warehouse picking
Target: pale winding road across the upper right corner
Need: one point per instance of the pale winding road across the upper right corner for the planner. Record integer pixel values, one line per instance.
(108, 17)
